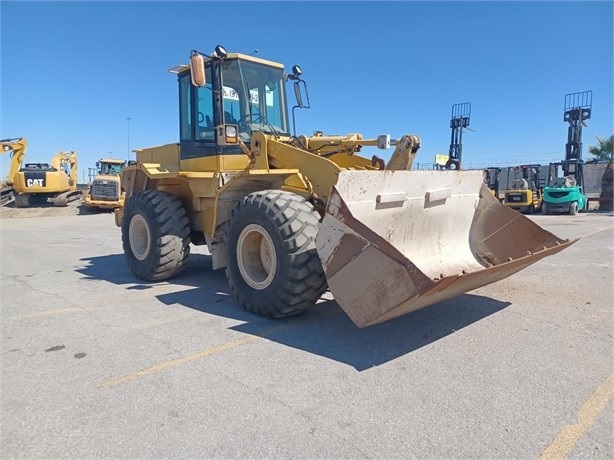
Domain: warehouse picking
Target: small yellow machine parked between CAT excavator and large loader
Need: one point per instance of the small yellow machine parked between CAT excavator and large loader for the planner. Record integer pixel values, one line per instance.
(105, 190)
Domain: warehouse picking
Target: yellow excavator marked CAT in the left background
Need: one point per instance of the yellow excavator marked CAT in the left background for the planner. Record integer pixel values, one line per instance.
(40, 183)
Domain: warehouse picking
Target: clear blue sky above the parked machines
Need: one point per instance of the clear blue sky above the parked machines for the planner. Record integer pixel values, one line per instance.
(73, 72)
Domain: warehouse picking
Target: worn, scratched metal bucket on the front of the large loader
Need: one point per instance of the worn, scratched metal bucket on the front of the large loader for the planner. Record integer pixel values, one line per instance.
(392, 242)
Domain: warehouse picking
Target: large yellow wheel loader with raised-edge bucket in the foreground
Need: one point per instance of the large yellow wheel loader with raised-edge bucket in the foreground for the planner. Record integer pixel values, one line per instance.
(289, 216)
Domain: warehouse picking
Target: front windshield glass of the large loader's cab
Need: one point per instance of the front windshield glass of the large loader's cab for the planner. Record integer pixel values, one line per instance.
(253, 98)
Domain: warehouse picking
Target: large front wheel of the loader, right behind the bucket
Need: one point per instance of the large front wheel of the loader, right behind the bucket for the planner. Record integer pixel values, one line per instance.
(274, 269)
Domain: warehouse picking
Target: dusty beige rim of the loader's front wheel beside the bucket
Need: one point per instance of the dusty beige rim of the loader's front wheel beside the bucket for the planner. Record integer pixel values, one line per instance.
(256, 257)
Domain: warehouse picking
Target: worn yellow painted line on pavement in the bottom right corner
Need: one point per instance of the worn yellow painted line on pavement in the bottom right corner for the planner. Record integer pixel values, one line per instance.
(567, 438)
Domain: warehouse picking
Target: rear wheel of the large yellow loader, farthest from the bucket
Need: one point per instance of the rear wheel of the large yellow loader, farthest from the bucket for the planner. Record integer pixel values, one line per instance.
(155, 235)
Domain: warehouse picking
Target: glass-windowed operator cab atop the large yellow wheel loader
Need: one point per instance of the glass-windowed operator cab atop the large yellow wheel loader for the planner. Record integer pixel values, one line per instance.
(234, 97)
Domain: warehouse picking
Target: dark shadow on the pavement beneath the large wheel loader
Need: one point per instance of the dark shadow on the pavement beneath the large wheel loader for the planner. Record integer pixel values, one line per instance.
(323, 330)
